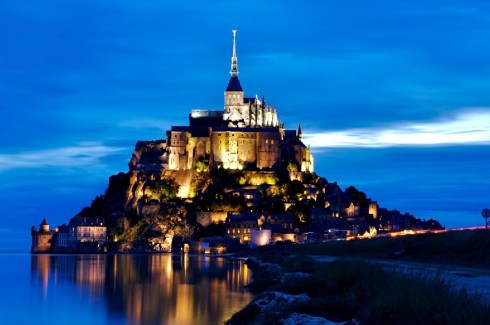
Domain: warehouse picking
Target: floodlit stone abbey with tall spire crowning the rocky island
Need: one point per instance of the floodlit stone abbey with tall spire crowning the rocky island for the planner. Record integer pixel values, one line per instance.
(246, 134)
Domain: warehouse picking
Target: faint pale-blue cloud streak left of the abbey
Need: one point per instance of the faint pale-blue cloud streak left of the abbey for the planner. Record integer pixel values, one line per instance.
(84, 154)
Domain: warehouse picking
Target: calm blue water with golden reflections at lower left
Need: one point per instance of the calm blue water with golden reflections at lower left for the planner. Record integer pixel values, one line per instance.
(120, 289)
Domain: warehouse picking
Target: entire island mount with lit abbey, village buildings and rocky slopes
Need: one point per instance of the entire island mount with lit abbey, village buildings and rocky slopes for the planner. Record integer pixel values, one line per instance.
(230, 179)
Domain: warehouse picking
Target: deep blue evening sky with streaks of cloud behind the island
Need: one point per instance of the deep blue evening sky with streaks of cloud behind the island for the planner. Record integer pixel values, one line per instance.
(392, 96)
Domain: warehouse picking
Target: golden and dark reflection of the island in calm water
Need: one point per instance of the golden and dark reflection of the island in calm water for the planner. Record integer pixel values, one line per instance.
(150, 289)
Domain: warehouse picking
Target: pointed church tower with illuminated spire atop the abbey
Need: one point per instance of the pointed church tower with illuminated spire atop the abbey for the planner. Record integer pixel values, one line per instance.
(234, 106)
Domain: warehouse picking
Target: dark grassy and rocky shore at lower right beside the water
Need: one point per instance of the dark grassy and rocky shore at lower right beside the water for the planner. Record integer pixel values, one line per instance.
(300, 288)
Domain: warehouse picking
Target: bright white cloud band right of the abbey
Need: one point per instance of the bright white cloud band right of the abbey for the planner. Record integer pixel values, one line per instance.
(465, 128)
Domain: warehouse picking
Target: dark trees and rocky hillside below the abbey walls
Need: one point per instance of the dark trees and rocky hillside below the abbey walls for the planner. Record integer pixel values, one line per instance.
(135, 204)
